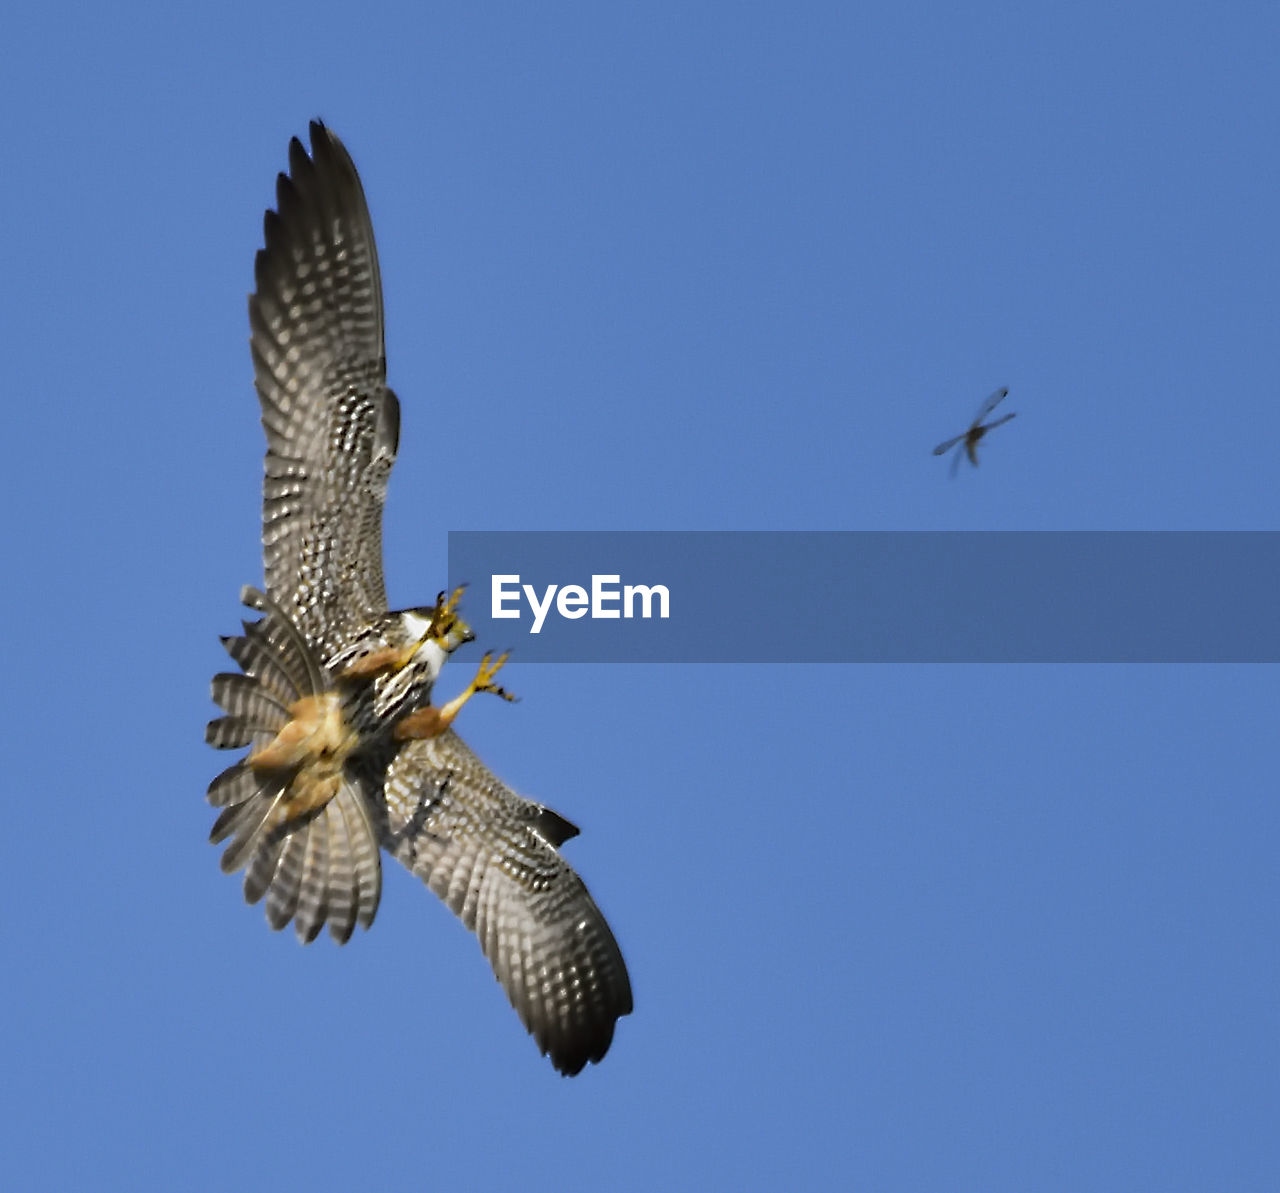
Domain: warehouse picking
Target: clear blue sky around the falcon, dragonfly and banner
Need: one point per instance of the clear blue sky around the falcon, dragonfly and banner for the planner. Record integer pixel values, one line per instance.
(715, 267)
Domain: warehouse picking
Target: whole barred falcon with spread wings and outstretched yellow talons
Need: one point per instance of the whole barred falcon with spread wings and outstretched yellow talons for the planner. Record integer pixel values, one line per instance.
(348, 753)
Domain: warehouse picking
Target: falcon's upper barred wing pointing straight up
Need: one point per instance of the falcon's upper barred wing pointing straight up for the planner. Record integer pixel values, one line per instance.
(321, 368)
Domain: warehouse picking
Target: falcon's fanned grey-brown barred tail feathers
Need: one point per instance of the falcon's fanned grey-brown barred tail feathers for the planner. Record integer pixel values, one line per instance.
(317, 869)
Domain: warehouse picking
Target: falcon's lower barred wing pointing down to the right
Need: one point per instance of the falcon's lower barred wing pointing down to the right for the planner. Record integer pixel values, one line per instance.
(492, 857)
